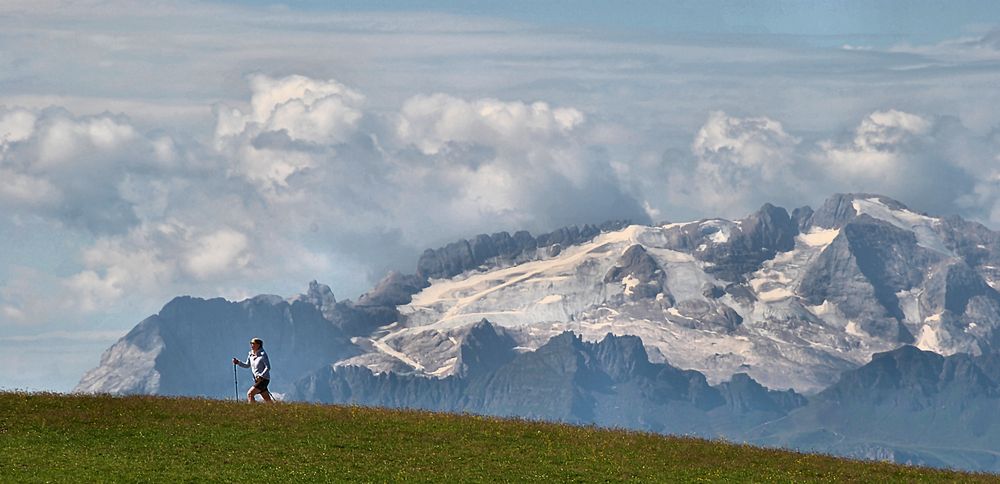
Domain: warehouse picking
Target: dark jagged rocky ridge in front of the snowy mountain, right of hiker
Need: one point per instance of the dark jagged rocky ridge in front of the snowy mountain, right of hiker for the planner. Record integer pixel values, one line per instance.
(607, 383)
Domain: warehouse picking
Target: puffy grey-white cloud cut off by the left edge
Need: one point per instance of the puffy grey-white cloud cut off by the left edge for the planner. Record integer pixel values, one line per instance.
(70, 168)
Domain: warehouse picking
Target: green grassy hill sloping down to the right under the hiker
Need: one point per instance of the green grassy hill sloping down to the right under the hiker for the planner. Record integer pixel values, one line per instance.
(47, 437)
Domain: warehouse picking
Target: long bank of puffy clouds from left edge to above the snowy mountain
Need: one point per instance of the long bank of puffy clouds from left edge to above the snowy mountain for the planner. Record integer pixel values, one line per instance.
(303, 182)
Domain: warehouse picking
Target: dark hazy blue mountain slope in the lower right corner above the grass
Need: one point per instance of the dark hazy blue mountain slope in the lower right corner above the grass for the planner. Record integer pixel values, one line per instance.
(907, 405)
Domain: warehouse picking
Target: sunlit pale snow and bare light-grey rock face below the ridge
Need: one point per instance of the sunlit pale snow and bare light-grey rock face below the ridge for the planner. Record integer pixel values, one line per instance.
(780, 342)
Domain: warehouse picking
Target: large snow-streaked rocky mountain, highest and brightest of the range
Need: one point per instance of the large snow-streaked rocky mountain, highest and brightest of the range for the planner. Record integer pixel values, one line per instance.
(792, 301)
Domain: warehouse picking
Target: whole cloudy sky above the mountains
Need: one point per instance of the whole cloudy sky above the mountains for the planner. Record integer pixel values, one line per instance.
(156, 149)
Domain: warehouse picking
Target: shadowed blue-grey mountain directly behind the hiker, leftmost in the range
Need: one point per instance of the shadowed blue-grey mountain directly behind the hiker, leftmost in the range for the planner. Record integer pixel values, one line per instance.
(187, 347)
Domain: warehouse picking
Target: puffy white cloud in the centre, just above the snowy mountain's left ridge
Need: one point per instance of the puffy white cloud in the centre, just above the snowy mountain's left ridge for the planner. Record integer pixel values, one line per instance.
(508, 163)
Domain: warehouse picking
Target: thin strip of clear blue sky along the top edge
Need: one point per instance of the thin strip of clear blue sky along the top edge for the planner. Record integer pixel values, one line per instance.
(881, 23)
